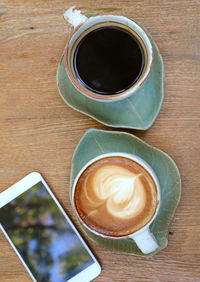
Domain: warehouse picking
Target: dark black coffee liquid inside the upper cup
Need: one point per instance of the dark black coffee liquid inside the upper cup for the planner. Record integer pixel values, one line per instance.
(108, 60)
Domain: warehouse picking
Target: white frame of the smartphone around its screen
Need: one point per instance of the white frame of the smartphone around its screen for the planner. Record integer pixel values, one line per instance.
(25, 184)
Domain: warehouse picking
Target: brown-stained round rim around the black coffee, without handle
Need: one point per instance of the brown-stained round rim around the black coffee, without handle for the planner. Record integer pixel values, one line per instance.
(128, 24)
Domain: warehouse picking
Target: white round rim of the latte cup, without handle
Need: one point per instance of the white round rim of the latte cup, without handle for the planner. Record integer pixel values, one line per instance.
(131, 157)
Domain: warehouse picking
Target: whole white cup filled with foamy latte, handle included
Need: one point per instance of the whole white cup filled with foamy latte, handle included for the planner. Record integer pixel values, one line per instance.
(117, 189)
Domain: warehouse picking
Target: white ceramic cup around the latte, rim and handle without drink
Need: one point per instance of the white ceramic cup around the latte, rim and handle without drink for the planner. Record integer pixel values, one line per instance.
(144, 238)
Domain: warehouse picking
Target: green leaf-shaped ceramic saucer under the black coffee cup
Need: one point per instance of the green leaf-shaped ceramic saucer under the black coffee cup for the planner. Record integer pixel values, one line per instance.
(138, 111)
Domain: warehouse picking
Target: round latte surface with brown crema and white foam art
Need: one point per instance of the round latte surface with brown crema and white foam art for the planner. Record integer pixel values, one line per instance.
(115, 196)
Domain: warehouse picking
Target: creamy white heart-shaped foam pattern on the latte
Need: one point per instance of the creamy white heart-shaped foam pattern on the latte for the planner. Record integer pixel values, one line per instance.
(121, 189)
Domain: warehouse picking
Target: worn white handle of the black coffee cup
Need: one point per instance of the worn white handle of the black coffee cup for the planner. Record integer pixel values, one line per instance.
(74, 16)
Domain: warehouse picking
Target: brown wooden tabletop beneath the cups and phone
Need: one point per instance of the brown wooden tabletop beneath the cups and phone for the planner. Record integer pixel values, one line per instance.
(39, 132)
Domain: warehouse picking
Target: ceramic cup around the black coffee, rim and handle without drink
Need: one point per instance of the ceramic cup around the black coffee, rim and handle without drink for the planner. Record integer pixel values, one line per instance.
(81, 25)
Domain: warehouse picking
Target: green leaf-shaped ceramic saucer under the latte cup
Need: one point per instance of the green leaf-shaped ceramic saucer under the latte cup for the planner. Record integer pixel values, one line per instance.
(96, 142)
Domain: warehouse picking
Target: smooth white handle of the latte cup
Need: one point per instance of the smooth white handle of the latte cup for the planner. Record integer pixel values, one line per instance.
(145, 241)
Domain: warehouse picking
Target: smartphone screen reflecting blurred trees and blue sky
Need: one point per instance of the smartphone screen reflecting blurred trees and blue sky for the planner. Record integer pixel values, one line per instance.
(43, 237)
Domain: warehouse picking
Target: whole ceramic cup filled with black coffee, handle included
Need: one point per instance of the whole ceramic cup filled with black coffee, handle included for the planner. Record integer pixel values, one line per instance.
(107, 57)
